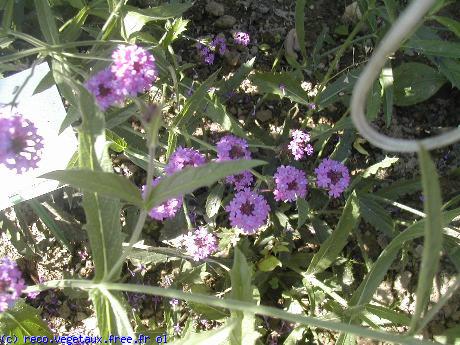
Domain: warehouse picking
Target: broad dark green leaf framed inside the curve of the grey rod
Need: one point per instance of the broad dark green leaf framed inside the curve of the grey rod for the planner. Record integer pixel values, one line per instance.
(415, 82)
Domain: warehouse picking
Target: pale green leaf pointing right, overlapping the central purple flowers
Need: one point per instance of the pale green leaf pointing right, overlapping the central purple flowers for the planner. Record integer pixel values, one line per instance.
(189, 179)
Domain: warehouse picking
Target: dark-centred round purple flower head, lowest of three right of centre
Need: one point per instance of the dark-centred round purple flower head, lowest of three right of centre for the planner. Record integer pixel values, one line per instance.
(248, 211)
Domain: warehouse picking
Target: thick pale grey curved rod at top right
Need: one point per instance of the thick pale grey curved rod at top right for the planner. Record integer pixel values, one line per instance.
(389, 44)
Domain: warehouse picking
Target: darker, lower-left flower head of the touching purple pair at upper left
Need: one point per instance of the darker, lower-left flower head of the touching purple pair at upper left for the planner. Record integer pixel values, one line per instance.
(105, 89)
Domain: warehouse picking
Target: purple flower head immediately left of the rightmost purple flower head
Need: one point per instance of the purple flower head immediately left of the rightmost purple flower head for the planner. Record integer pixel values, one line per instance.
(291, 183)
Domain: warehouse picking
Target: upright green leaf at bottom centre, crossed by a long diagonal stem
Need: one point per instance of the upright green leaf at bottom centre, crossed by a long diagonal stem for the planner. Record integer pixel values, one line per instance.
(244, 332)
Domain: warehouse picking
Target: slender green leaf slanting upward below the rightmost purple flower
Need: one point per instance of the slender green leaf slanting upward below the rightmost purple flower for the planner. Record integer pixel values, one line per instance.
(331, 248)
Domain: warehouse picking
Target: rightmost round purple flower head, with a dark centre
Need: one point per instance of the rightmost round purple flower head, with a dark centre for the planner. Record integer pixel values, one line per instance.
(332, 176)
